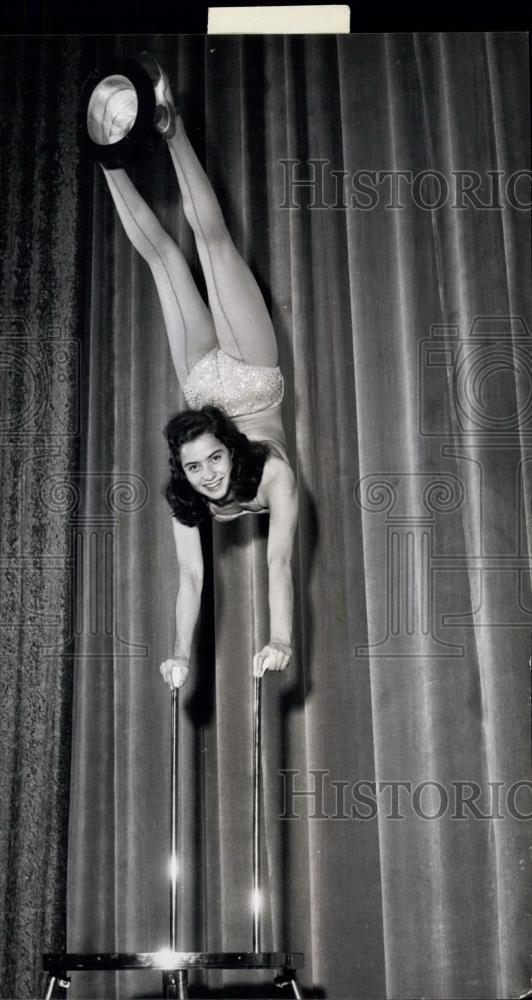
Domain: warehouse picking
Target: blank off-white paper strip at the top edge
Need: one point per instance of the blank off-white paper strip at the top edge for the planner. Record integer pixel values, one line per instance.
(309, 19)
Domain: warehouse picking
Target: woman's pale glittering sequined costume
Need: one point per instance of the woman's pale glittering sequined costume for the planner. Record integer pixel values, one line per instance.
(250, 394)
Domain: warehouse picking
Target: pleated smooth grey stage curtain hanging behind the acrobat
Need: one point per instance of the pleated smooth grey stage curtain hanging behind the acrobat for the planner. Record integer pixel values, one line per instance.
(377, 186)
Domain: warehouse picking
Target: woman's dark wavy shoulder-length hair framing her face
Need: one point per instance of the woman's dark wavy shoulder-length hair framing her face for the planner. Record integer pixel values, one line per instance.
(189, 506)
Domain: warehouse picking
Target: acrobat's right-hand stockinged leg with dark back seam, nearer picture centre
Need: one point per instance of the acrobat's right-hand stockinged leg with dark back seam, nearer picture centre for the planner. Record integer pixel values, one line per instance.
(243, 325)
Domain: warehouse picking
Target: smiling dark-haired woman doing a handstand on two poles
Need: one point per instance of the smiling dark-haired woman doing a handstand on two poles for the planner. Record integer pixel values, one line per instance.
(228, 452)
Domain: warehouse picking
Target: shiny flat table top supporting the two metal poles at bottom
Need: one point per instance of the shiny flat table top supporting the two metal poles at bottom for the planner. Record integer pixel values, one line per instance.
(169, 961)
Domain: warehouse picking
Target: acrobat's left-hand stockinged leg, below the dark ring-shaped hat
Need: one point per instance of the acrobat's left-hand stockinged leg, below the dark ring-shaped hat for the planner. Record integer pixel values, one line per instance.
(188, 322)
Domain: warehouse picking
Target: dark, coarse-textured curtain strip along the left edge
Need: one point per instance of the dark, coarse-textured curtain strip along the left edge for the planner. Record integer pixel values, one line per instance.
(41, 316)
